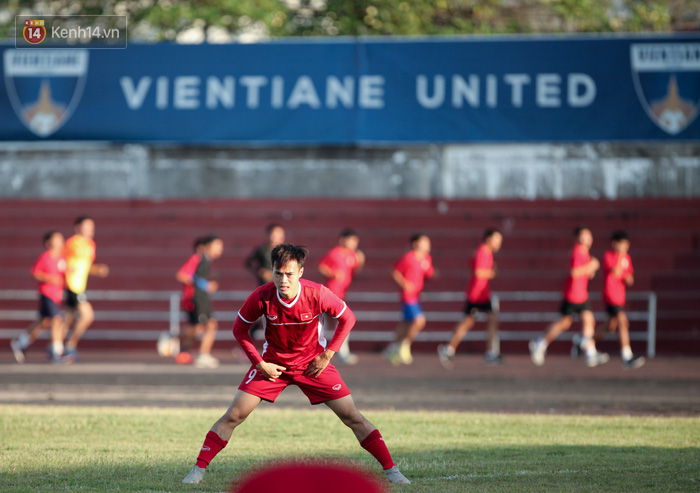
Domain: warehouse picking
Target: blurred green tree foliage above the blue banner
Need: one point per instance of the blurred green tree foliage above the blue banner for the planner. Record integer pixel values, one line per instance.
(249, 20)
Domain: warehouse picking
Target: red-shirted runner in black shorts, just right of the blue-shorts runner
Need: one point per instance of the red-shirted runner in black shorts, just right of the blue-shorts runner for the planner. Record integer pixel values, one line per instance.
(478, 300)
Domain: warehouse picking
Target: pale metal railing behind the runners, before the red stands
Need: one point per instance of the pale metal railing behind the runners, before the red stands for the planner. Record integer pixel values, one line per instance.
(172, 316)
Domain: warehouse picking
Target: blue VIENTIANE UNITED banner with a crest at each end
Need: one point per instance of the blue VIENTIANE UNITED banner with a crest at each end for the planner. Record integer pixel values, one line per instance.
(501, 89)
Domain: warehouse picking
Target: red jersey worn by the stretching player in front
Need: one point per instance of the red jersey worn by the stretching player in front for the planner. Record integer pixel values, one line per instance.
(293, 328)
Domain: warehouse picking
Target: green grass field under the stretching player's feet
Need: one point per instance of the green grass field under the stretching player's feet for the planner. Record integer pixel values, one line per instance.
(150, 449)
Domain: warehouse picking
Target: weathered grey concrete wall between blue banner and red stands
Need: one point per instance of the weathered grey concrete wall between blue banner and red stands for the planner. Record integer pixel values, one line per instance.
(63, 170)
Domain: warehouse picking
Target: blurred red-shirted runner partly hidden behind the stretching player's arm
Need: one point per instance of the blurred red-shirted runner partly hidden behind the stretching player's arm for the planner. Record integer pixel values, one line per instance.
(339, 266)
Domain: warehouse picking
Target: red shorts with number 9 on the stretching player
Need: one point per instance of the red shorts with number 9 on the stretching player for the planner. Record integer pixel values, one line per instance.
(326, 387)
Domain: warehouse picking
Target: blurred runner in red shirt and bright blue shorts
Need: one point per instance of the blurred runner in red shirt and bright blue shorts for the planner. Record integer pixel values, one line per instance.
(410, 273)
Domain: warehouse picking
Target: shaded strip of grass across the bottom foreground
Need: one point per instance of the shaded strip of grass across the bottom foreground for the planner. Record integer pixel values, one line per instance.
(536, 469)
